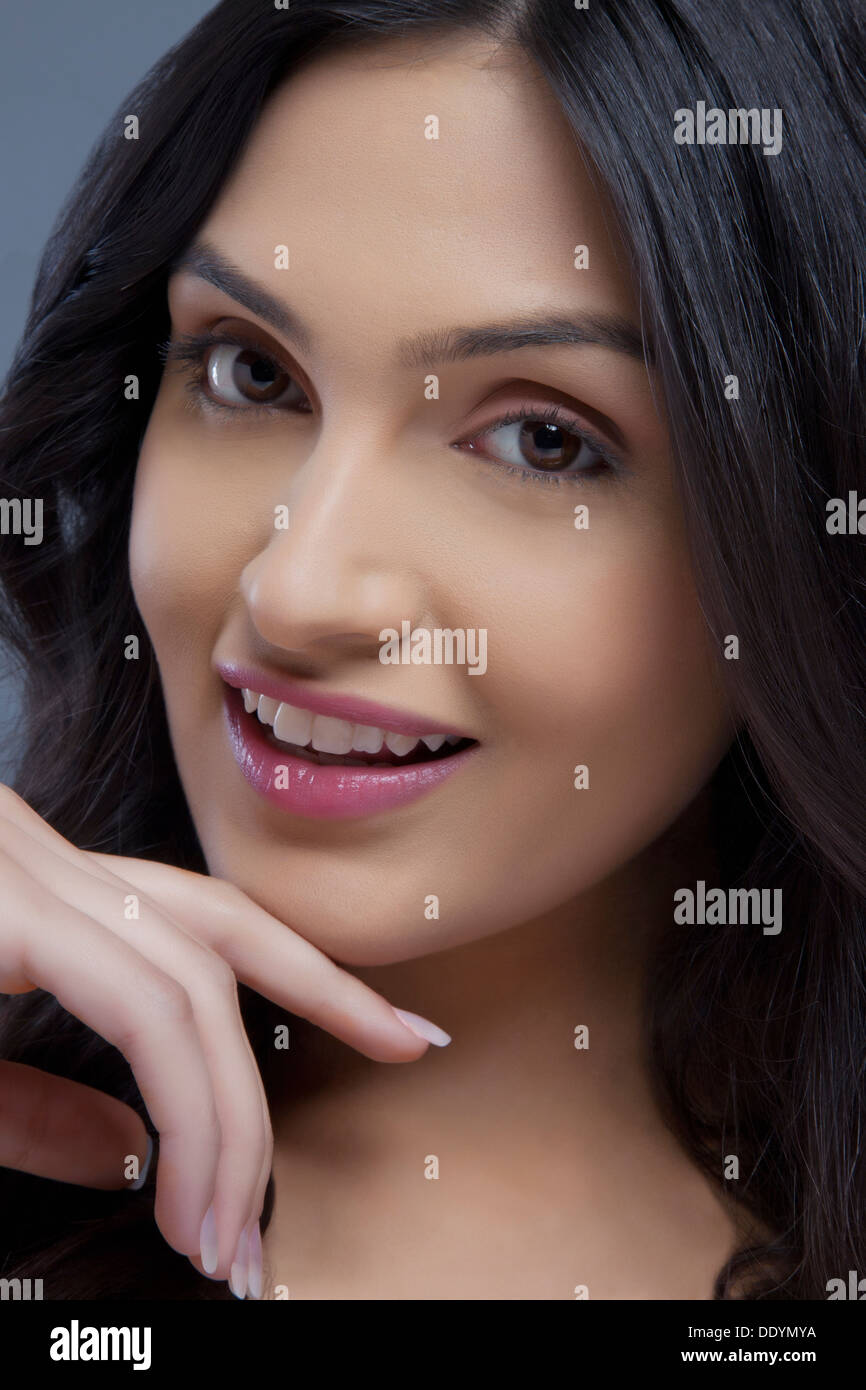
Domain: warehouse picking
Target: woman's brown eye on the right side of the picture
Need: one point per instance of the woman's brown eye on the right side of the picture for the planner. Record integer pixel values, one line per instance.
(544, 445)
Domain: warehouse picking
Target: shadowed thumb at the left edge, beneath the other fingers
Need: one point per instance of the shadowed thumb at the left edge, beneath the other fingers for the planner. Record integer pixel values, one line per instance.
(55, 1128)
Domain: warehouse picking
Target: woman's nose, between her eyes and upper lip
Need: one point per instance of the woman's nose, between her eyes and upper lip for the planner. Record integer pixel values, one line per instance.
(347, 565)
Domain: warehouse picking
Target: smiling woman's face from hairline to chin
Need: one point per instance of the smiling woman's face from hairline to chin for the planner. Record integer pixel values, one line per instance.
(336, 484)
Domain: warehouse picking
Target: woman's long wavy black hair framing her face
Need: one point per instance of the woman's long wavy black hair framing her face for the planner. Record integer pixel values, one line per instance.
(749, 265)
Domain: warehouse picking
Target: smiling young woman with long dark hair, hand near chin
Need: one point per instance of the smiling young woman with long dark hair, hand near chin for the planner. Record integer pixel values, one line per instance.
(440, 412)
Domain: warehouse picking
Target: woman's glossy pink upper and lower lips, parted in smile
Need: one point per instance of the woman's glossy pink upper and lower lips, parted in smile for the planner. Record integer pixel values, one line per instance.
(302, 786)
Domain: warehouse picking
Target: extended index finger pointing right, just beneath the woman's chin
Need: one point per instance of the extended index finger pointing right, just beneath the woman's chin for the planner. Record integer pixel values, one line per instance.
(275, 960)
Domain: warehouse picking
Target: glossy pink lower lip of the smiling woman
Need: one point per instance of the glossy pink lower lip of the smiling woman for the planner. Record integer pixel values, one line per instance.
(327, 792)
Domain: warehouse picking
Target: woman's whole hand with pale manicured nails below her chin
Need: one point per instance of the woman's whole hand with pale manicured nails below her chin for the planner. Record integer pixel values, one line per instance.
(162, 988)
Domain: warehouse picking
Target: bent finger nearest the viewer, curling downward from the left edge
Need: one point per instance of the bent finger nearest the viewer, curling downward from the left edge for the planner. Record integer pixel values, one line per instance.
(147, 1015)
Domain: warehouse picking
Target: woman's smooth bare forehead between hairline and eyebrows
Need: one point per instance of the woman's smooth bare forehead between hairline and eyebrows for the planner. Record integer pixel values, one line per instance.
(420, 180)
